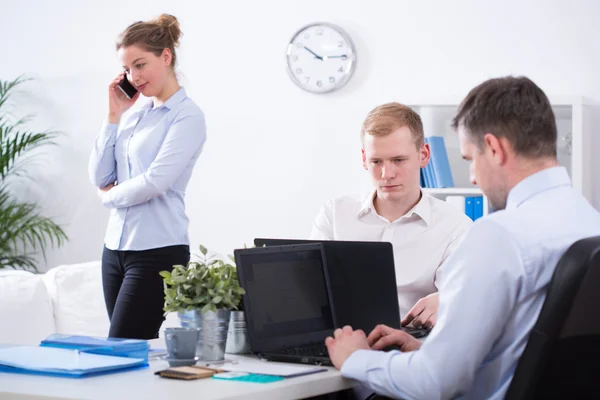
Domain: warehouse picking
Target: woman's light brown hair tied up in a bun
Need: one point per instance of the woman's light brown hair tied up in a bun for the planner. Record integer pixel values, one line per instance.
(153, 36)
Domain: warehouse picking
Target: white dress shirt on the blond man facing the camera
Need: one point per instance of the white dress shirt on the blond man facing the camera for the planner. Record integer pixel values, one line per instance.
(422, 239)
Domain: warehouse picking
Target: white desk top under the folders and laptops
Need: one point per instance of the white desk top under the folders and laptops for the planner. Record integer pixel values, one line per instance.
(143, 384)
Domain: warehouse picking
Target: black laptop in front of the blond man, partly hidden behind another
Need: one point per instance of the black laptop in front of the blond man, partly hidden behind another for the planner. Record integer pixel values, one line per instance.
(361, 281)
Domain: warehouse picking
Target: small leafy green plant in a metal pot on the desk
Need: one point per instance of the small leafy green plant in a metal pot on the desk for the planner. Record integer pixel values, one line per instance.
(203, 294)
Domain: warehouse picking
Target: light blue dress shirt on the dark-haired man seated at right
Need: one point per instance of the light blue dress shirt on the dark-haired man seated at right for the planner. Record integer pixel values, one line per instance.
(490, 297)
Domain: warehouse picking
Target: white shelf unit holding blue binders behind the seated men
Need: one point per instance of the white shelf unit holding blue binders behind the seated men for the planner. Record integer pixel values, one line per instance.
(573, 123)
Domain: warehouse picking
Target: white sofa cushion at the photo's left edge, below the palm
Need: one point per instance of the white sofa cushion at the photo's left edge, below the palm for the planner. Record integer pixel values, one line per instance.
(25, 308)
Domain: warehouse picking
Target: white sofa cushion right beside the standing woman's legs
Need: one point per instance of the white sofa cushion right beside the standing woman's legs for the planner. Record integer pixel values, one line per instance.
(78, 299)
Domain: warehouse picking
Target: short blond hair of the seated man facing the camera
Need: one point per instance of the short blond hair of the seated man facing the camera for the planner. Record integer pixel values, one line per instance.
(387, 118)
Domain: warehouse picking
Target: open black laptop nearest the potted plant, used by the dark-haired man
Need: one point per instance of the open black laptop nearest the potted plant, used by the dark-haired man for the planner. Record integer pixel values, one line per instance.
(286, 305)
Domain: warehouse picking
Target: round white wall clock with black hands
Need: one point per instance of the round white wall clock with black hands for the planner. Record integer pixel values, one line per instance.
(321, 58)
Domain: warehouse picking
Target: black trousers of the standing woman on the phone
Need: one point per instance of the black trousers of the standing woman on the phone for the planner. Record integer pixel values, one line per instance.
(134, 290)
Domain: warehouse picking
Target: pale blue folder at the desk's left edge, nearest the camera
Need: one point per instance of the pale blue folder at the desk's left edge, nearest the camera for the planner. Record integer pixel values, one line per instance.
(62, 362)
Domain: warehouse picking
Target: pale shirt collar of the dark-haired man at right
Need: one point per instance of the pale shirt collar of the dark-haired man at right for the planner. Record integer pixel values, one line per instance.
(536, 183)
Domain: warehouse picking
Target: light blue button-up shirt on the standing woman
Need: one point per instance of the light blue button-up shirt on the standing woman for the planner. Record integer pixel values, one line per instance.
(151, 155)
